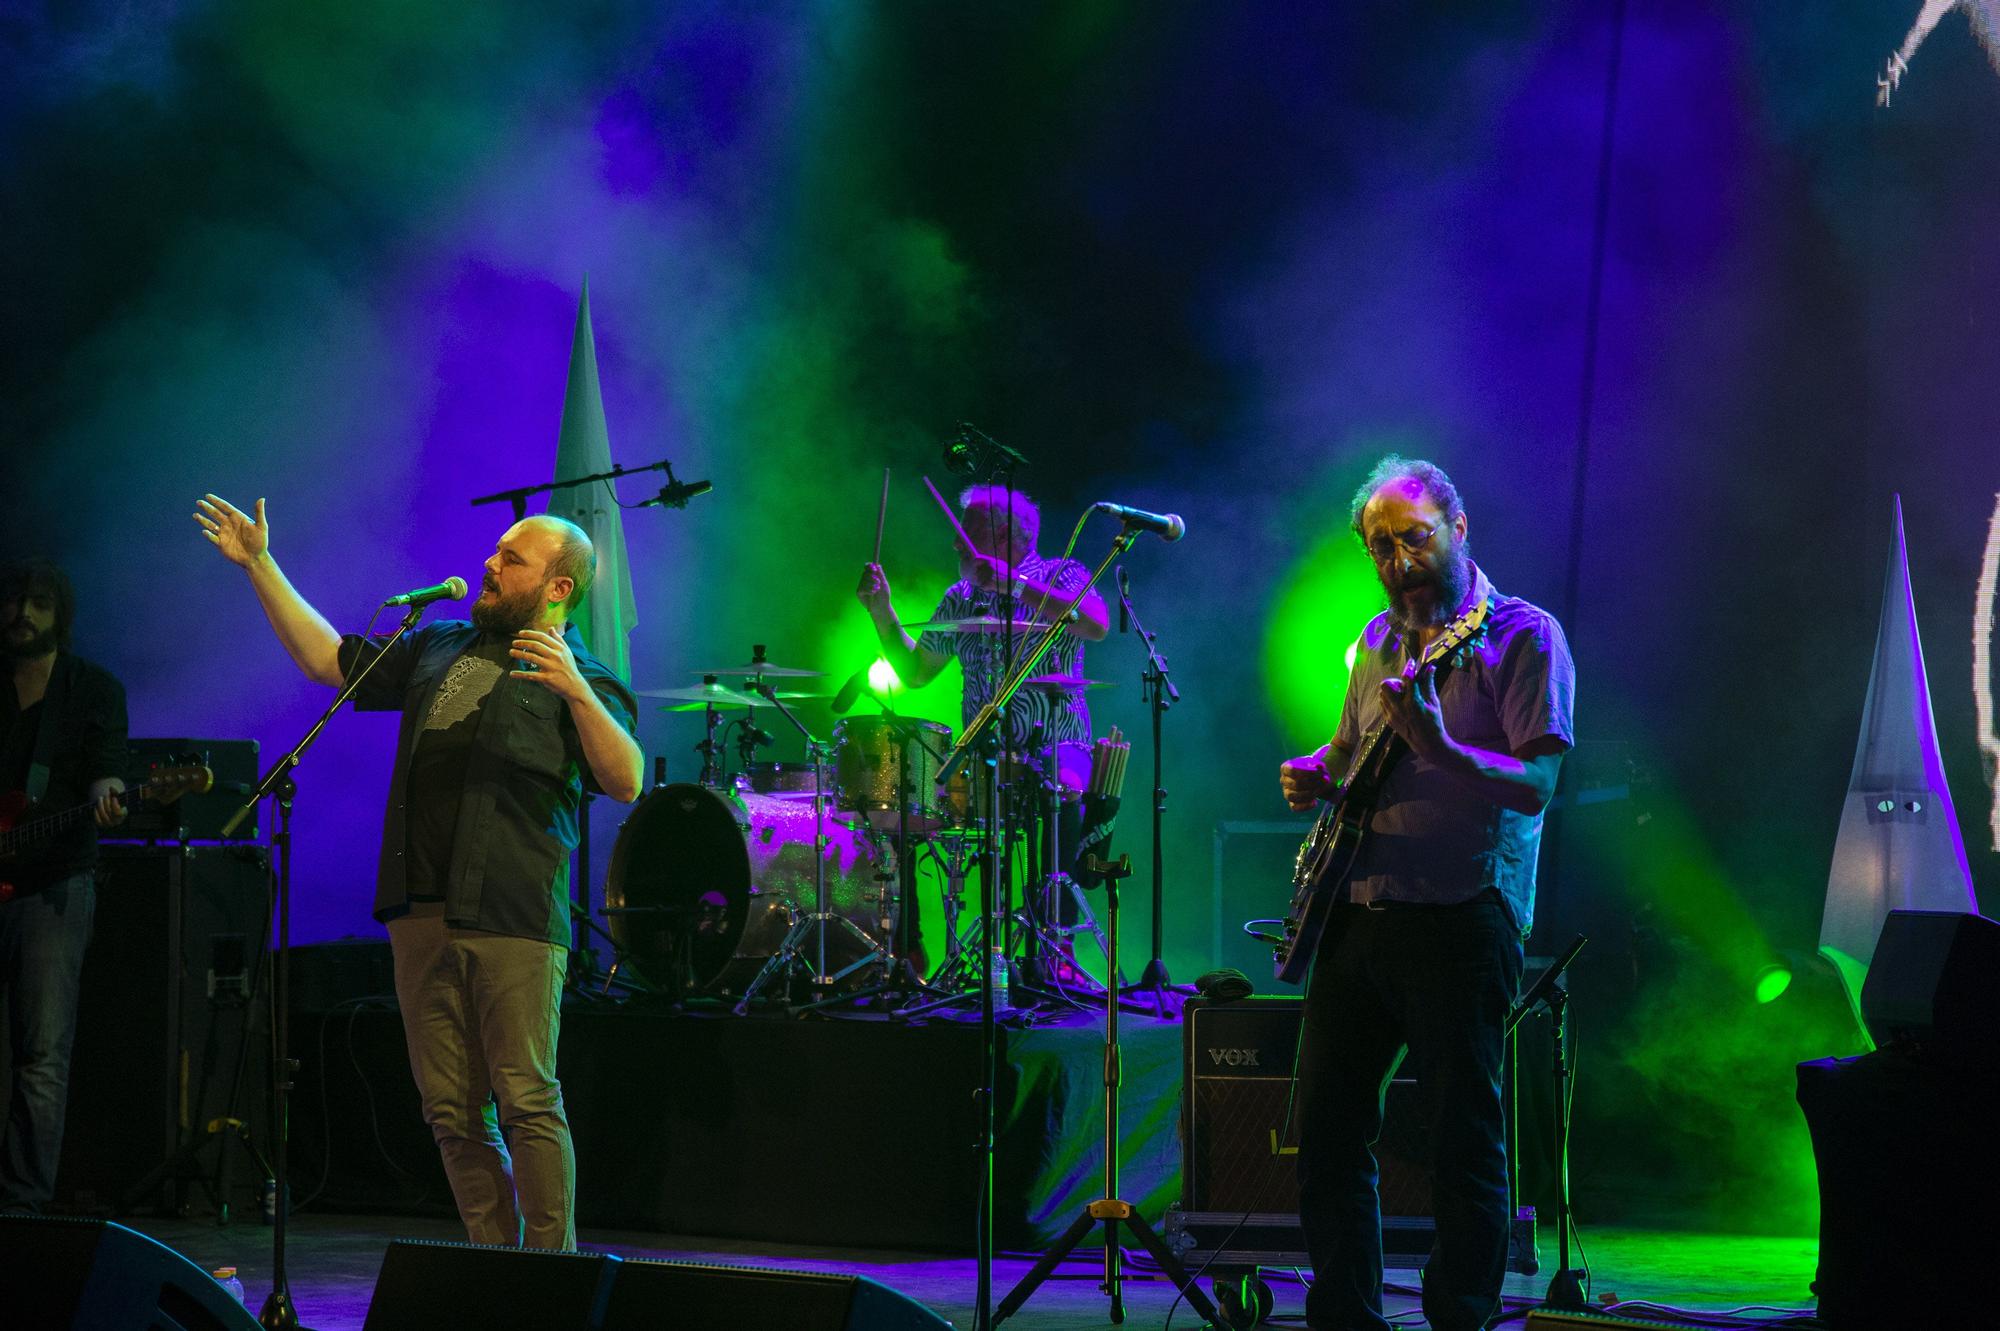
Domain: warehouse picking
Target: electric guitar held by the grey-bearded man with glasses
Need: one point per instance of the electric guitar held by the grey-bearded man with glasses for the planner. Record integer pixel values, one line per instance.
(1329, 854)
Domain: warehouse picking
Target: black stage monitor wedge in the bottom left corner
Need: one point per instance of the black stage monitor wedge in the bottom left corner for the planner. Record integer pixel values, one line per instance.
(91, 1276)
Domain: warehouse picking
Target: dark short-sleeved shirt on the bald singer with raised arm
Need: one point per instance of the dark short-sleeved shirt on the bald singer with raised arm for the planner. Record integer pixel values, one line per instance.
(525, 780)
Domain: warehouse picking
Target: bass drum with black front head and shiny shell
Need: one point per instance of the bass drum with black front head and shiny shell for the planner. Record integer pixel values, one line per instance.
(705, 886)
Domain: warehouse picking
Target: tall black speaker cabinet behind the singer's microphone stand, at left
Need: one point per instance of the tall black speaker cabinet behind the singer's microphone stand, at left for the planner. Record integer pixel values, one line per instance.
(171, 1024)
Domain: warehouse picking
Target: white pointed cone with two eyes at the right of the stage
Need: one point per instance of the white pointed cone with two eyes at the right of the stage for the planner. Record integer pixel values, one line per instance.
(1899, 844)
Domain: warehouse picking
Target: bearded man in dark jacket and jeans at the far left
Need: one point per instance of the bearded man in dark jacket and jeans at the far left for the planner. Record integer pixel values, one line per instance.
(63, 742)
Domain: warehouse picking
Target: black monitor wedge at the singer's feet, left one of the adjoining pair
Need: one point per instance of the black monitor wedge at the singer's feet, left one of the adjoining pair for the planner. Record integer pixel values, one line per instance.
(431, 1286)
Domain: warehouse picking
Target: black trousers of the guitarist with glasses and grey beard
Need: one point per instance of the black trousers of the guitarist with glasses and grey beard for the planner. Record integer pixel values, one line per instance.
(1433, 982)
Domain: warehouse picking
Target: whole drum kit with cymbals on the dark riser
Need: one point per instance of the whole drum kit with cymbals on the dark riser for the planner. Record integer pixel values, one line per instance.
(765, 876)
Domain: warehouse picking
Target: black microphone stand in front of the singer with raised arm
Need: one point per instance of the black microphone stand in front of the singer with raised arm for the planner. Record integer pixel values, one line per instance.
(279, 1314)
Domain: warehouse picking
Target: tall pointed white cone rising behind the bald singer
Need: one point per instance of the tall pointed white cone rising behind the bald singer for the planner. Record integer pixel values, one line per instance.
(609, 613)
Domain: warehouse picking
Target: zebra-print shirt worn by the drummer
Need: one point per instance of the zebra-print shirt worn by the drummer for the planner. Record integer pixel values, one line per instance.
(983, 657)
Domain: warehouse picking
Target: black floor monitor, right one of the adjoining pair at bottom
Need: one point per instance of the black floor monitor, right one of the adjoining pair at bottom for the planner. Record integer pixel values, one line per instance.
(667, 1296)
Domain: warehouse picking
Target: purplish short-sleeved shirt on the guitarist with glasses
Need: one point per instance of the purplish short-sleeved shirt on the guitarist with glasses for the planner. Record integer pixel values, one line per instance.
(1431, 840)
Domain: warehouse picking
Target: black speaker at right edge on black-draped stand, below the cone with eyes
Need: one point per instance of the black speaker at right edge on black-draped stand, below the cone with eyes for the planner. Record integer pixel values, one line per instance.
(1935, 986)
